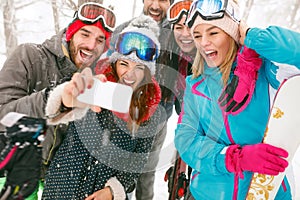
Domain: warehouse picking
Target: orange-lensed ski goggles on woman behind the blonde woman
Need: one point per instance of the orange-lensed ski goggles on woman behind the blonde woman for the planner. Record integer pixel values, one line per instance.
(178, 9)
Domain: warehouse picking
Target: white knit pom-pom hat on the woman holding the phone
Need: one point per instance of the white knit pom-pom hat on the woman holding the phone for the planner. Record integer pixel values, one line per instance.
(144, 25)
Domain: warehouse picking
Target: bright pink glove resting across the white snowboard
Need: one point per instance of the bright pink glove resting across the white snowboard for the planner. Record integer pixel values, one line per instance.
(261, 158)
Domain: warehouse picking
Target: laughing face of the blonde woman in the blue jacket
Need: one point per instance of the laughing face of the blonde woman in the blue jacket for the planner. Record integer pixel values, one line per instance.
(212, 42)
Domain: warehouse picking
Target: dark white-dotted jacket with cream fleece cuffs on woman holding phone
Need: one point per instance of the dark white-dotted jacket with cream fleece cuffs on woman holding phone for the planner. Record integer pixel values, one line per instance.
(99, 150)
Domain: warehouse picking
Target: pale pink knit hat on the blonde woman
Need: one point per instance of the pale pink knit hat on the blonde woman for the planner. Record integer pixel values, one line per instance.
(227, 23)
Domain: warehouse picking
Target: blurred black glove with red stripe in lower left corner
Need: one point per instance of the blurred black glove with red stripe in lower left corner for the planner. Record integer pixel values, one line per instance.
(21, 158)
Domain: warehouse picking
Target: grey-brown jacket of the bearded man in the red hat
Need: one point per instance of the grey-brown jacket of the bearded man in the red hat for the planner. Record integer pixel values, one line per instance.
(26, 73)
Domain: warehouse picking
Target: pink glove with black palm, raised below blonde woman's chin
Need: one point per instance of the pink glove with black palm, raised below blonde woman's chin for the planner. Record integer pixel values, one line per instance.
(237, 94)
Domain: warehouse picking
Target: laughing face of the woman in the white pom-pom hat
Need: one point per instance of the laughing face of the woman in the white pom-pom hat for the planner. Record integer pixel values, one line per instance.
(129, 72)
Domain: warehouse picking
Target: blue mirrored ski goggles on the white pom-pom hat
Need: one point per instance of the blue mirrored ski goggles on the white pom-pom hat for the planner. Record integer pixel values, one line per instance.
(146, 49)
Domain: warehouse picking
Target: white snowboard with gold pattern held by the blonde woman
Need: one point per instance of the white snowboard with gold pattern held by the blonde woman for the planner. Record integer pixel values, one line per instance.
(282, 131)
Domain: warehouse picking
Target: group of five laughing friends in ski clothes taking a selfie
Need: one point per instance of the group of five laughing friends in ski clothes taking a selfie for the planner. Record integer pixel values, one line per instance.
(198, 57)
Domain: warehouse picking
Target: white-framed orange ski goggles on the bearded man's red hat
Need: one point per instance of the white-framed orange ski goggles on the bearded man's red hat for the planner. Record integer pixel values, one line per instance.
(91, 12)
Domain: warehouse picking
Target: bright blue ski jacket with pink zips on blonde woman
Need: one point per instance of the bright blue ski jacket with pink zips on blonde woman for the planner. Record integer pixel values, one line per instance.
(203, 132)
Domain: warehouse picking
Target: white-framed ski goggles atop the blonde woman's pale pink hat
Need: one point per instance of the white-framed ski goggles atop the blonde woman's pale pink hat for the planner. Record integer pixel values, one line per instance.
(210, 10)
